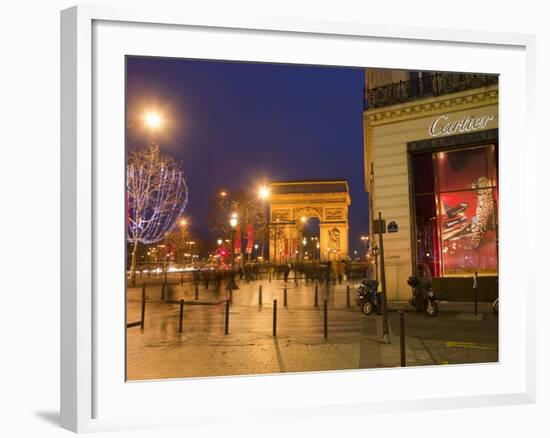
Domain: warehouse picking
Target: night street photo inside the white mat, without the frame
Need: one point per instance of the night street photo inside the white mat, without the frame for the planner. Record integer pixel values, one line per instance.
(287, 218)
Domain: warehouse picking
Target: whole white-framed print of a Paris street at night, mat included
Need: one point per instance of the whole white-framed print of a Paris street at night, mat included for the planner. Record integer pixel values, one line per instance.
(257, 208)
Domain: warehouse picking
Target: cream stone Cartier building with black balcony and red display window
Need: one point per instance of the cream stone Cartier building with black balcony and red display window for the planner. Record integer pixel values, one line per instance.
(431, 169)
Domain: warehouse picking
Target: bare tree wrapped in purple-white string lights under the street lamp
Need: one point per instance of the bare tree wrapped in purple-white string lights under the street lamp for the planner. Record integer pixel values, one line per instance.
(156, 195)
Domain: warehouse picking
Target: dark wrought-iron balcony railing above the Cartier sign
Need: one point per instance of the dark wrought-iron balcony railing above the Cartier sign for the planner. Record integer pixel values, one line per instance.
(431, 84)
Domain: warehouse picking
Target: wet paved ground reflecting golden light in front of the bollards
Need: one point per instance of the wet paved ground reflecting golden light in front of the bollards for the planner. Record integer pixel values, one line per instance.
(353, 340)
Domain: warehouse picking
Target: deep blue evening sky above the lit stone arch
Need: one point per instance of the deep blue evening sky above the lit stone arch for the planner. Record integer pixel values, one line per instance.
(235, 125)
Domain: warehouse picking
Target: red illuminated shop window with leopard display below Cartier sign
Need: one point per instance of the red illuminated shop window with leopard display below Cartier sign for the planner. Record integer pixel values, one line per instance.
(456, 212)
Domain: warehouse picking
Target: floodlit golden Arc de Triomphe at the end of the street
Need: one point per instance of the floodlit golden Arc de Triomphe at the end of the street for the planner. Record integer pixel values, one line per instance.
(293, 201)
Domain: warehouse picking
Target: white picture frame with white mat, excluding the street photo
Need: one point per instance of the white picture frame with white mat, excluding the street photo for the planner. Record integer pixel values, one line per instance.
(93, 397)
